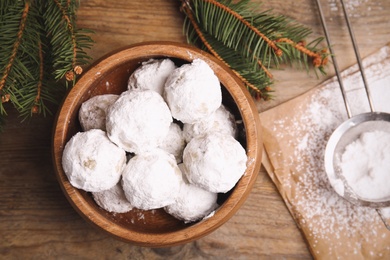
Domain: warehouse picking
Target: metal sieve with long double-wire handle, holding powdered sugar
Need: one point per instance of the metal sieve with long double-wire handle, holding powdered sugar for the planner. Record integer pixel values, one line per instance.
(351, 129)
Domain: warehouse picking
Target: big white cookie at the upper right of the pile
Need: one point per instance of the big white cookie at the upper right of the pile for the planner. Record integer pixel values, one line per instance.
(193, 92)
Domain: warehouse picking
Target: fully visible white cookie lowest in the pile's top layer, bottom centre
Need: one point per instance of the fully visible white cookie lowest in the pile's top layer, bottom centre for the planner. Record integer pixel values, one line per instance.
(151, 180)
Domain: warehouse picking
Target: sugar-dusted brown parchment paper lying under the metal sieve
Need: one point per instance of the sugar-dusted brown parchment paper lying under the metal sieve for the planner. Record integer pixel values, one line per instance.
(295, 136)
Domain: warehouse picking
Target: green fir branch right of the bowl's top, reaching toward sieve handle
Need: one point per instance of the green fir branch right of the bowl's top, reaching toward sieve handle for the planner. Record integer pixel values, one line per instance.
(248, 41)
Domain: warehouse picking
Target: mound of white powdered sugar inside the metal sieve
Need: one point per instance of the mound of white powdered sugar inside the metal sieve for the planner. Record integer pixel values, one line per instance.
(365, 163)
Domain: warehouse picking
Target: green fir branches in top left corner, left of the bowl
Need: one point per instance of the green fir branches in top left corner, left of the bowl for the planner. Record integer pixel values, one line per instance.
(42, 51)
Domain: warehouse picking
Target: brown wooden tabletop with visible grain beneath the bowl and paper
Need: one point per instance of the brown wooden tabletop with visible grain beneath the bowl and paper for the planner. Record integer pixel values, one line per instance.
(36, 221)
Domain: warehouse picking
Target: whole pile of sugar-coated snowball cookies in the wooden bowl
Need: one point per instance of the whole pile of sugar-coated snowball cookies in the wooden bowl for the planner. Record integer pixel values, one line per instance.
(166, 142)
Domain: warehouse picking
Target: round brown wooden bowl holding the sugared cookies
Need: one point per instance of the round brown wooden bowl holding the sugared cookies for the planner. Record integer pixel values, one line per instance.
(155, 228)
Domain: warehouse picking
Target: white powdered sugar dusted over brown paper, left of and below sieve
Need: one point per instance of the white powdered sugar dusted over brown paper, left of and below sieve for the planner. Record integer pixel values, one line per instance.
(322, 214)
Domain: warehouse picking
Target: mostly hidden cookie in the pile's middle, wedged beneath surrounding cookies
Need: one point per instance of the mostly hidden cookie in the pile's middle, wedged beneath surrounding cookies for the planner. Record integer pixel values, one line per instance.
(174, 142)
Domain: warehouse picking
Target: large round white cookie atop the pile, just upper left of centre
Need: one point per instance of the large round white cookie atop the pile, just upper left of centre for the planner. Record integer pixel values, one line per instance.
(138, 121)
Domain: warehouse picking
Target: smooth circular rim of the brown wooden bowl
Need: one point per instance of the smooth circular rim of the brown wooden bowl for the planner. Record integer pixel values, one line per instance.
(226, 210)
